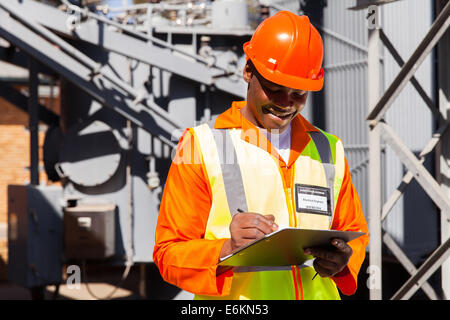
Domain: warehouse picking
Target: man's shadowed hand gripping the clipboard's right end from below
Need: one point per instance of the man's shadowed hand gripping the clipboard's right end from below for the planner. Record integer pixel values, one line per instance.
(329, 262)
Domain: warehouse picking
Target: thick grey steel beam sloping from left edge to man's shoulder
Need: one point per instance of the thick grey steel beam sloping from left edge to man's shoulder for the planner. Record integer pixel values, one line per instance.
(79, 69)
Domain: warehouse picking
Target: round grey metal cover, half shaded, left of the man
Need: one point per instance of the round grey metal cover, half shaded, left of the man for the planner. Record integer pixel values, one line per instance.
(90, 154)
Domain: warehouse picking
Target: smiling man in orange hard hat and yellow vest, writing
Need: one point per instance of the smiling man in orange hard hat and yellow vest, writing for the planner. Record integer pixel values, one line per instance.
(245, 175)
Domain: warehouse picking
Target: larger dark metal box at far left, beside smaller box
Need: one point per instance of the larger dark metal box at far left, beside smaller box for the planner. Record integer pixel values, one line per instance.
(35, 250)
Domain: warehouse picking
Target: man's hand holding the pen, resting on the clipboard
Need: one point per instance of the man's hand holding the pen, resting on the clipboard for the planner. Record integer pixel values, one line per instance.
(246, 227)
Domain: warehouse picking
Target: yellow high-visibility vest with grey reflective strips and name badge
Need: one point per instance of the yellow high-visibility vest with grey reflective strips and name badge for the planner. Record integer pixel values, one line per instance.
(243, 175)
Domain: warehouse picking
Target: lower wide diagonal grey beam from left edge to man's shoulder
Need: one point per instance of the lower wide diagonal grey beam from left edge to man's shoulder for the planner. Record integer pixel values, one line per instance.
(155, 120)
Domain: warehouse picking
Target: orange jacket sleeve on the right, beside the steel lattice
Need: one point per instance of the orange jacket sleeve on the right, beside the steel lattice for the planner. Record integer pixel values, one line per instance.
(349, 216)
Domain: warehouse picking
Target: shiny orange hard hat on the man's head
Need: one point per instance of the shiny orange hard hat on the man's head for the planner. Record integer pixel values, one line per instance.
(287, 50)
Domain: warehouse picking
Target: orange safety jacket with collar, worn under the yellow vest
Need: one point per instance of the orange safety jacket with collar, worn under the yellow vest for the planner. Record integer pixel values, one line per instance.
(188, 260)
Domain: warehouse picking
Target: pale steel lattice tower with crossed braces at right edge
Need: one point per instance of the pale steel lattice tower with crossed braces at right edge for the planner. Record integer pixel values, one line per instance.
(379, 129)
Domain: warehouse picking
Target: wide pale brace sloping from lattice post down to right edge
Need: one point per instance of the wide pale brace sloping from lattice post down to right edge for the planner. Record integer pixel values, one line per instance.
(423, 177)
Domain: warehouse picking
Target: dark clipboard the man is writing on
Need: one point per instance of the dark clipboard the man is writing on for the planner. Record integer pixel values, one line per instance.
(284, 247)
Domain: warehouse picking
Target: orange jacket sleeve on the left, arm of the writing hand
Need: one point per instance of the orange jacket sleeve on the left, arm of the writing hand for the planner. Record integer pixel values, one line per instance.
(184, 258)
